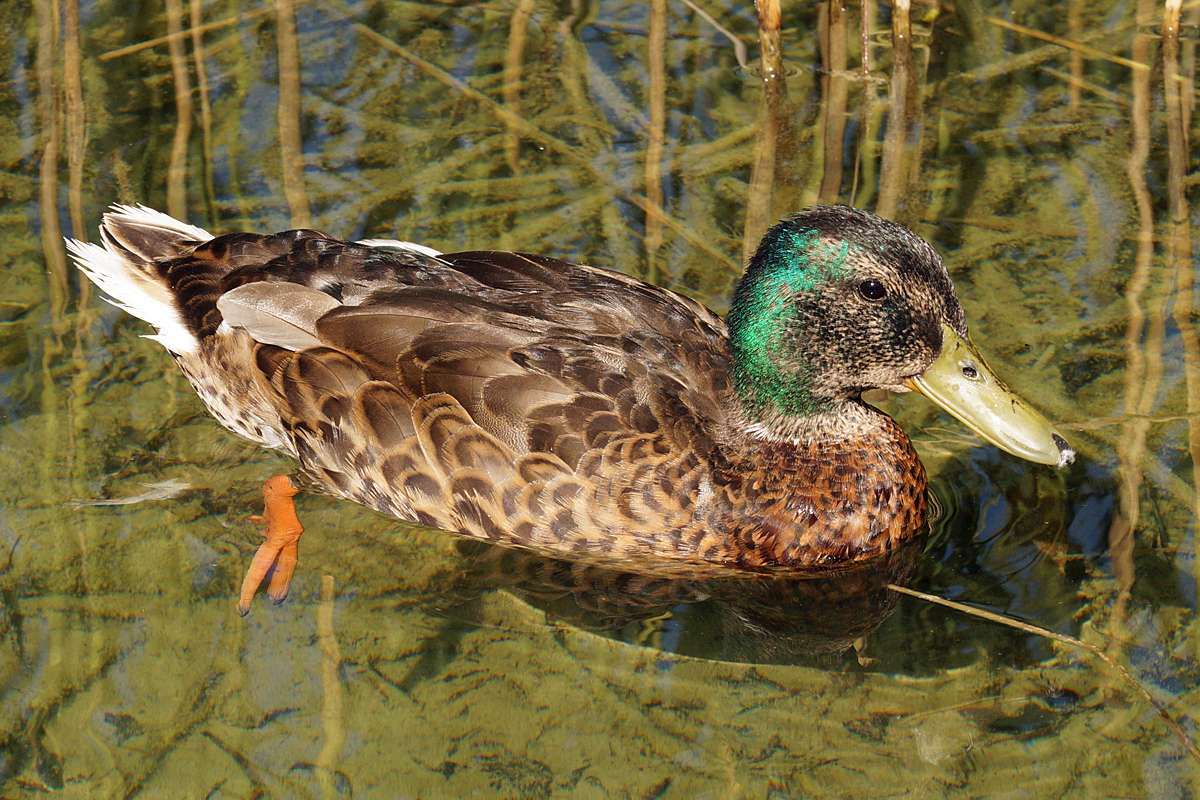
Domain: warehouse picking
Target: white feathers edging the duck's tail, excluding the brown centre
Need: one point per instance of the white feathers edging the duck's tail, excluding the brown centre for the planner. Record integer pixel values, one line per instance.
(130, 286)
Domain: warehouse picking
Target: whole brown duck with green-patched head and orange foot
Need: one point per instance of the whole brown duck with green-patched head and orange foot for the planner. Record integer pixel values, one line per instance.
(573, 411)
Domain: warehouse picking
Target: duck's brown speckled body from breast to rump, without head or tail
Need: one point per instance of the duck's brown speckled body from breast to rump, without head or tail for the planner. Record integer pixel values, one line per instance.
(536, 404)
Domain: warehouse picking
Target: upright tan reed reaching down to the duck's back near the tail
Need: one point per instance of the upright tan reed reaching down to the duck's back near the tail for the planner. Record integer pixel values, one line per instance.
(291, 146)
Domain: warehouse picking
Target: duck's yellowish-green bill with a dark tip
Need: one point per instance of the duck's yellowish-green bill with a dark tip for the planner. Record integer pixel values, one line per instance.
(963, 384)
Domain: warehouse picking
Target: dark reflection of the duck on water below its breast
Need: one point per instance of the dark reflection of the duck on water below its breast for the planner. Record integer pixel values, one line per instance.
(759, 619)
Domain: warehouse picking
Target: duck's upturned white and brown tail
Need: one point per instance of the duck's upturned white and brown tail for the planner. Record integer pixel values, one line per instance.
(127, 268)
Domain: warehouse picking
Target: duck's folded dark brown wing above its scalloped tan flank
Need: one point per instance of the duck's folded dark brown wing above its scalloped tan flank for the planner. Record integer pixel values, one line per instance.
(544, 356)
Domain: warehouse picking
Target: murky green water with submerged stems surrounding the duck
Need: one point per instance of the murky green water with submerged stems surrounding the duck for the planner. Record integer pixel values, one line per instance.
(1057, 182)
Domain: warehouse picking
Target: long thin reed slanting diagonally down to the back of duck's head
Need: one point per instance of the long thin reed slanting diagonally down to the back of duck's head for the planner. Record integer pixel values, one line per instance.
(549, 142)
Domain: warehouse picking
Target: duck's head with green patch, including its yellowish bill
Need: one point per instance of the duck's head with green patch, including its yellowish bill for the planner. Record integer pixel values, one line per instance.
(837, 302)
